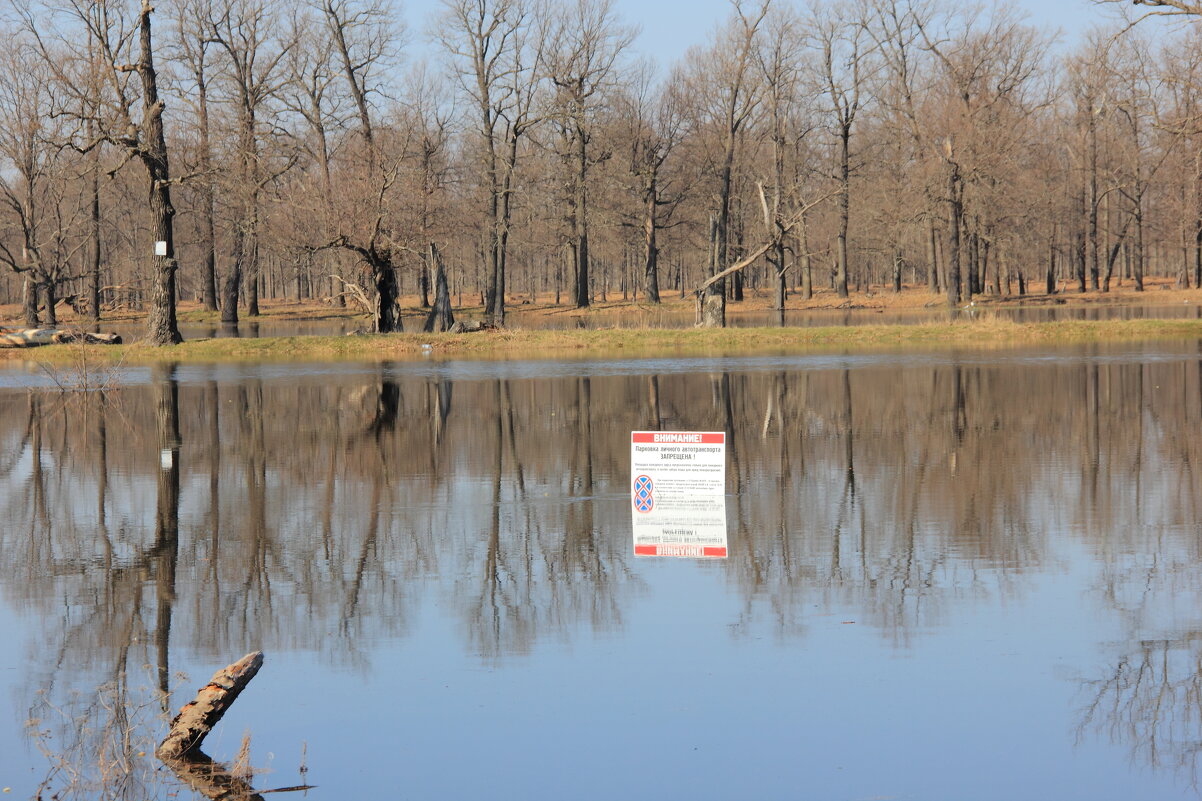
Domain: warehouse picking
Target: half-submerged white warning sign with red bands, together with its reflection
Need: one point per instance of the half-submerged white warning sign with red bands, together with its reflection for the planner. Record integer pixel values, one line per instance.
(679, 494)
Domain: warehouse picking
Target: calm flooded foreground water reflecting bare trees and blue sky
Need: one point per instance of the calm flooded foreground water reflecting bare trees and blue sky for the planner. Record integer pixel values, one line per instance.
(949, 577)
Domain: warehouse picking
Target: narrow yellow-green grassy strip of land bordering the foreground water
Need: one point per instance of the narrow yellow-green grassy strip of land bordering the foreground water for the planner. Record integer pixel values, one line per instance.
(614, 342)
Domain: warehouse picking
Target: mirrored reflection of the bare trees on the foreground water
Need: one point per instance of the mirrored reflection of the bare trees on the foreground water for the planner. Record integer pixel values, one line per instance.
(330, 513)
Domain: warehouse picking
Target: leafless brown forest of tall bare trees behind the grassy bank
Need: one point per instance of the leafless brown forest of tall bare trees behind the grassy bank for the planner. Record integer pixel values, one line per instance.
(230, 151)
